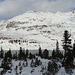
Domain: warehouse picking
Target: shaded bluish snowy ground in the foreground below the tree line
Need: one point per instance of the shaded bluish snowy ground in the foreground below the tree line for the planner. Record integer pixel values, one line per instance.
(28, 70)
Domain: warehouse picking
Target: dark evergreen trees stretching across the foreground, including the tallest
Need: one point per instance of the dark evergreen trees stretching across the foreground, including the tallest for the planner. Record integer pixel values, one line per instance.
(66, 58)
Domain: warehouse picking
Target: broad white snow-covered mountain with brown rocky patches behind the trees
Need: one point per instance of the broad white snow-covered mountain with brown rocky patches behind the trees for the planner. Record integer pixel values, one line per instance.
(34, 28)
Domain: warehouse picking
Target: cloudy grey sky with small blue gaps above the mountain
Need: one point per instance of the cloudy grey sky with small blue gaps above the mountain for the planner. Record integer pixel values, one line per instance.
(11, 8)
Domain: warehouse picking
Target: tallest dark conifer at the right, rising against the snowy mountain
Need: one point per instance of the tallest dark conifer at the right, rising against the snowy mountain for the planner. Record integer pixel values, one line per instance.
(68, 55)
